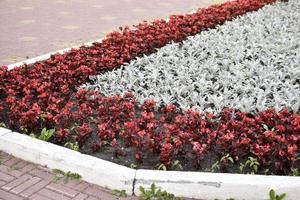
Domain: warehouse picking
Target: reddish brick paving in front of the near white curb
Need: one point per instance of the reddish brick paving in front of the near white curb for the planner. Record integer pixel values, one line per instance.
(23, 180)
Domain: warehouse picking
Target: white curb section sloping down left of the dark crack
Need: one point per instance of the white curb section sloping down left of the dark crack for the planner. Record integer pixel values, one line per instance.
(92, 169)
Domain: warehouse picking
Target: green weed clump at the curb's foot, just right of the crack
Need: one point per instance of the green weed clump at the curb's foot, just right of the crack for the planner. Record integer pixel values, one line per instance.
(156, 194)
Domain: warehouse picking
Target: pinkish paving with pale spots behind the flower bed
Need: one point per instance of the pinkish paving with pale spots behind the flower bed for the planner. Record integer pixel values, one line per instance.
(34, 27)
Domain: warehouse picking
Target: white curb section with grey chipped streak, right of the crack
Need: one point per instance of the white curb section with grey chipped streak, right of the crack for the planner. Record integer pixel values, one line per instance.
(218, 185)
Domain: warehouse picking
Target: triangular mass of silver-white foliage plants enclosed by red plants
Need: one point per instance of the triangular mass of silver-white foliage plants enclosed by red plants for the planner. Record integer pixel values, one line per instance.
(251, 63)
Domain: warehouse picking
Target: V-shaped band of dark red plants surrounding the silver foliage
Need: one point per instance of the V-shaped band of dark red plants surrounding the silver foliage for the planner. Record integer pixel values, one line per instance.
(43, 95)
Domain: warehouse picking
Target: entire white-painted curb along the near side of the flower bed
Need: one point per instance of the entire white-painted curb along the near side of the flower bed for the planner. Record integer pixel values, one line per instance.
(107, 174)
